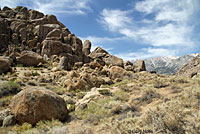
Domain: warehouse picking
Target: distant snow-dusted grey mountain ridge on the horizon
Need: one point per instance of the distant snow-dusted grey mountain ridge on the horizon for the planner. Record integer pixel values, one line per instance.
(168, 64)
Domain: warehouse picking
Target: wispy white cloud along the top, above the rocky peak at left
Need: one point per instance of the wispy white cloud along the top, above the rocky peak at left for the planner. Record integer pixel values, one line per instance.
(79, 7)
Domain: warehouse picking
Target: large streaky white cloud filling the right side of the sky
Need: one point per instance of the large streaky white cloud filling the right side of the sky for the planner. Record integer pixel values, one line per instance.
(168, 30)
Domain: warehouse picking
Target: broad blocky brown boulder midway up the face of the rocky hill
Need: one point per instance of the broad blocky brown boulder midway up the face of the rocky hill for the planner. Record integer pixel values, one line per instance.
(51, 47)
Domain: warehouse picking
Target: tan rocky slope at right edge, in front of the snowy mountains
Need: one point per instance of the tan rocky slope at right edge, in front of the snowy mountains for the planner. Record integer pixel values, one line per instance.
(192, 68)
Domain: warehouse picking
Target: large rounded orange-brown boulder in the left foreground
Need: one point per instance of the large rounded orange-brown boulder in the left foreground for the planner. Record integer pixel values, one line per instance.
(32, 105)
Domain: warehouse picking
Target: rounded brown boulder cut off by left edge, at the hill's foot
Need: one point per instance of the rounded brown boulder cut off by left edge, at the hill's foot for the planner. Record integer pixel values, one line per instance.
(5, 64)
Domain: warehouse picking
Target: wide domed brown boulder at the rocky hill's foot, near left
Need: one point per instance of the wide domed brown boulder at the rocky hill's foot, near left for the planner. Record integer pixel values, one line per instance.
(30, 58)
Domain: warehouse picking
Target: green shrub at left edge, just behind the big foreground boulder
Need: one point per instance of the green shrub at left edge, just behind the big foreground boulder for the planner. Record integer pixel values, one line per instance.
(9, 87)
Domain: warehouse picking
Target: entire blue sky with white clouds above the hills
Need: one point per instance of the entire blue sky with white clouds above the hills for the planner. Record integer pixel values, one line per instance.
(130, 29)
